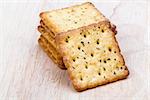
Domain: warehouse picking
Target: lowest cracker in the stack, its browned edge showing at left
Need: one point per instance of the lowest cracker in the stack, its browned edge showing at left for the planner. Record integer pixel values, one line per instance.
(51, 52)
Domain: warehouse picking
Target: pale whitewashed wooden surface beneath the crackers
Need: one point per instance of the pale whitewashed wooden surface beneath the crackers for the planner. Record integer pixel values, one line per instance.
(26, 73)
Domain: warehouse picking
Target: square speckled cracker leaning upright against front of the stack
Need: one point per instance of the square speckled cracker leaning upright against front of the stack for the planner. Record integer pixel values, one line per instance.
(92, 56)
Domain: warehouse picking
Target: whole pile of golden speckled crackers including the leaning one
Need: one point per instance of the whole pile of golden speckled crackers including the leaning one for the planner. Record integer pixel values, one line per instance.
(82, 40)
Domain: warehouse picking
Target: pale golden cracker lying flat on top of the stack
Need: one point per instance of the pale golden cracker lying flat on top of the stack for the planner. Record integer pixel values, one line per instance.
(62, 20)
